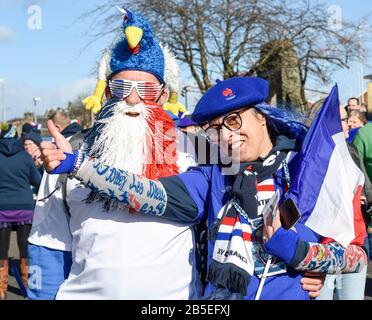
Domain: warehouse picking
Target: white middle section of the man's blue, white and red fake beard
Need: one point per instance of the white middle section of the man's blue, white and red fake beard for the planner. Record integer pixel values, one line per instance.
(122, 141)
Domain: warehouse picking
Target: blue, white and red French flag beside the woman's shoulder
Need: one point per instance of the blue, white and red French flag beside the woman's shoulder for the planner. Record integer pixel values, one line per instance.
(328, 185)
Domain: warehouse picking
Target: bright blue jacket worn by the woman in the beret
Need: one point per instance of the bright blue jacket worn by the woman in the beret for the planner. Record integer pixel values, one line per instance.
(206, 193)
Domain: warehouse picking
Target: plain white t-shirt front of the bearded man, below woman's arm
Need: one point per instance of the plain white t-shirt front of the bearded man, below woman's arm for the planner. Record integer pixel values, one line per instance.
(117, 255)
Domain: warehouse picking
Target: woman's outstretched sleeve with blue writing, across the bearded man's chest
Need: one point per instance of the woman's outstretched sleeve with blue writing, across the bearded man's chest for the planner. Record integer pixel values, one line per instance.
(168, 197)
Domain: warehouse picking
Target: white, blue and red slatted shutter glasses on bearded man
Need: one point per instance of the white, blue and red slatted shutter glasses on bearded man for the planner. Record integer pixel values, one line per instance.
(146, 90)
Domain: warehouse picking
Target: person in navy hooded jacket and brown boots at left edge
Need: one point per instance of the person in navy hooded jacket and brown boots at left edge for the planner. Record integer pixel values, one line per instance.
(18, 172)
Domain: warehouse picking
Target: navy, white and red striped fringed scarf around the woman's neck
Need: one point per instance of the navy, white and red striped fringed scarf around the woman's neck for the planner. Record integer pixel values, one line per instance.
(233, 262)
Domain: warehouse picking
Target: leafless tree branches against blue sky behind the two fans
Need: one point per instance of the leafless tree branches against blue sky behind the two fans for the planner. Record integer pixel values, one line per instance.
(224, 38)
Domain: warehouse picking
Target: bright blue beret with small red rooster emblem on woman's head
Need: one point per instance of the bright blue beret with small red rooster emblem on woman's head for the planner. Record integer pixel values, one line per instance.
(229, 95)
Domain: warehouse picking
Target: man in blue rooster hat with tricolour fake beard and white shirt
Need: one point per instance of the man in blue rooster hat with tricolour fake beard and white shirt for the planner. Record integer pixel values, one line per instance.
(114, 256)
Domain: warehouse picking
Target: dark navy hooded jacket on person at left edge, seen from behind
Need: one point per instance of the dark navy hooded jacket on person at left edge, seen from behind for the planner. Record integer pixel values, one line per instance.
(18, 172)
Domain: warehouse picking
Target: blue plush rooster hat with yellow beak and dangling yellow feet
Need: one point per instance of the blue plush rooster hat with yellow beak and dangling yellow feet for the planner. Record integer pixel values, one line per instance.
(137, 49)
